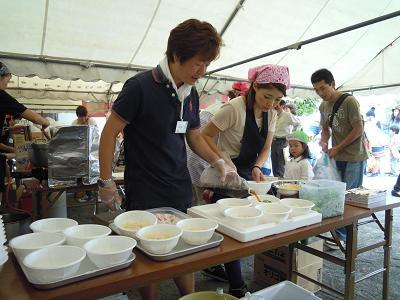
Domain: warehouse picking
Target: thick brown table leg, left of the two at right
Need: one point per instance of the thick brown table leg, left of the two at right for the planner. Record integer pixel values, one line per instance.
(351, 254)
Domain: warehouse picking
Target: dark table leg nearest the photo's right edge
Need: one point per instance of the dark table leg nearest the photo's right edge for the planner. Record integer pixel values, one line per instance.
(386, 252)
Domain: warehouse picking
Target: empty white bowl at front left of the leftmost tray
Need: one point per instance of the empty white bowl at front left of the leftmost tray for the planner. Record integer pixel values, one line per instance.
(53, 263)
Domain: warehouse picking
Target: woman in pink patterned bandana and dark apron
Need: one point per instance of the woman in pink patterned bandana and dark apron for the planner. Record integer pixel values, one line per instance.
(246, 126)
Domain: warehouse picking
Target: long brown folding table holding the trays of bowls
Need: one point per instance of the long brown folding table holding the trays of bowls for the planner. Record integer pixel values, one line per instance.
(144, 271)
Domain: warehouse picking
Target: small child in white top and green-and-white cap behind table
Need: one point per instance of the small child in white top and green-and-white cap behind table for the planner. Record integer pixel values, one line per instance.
(299, 167)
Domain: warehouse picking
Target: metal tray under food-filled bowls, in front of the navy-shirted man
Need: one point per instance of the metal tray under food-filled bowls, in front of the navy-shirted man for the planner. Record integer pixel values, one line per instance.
(181, 249)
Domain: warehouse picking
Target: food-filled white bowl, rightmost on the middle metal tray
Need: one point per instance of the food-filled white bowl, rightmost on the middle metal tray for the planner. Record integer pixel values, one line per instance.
(197, 231)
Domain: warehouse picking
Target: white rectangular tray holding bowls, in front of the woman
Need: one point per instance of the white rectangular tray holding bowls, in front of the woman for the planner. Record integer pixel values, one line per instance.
(213, 212)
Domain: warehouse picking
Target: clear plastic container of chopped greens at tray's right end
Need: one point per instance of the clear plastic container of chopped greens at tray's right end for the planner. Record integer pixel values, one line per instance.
(327, 195)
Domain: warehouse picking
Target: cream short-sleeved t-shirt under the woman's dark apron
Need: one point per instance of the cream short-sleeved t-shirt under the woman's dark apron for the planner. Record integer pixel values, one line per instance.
(231, 119)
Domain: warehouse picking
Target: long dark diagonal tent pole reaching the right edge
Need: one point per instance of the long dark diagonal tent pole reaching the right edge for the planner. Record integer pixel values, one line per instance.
(298, 45)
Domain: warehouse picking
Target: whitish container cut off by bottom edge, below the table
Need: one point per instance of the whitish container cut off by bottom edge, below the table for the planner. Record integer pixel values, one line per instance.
(284, 290)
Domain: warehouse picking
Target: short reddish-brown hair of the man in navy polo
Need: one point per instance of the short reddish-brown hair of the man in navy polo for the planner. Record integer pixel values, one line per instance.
(191, 38)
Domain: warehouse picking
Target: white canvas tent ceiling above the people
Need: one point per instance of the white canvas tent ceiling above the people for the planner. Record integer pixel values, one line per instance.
(84, 49)
